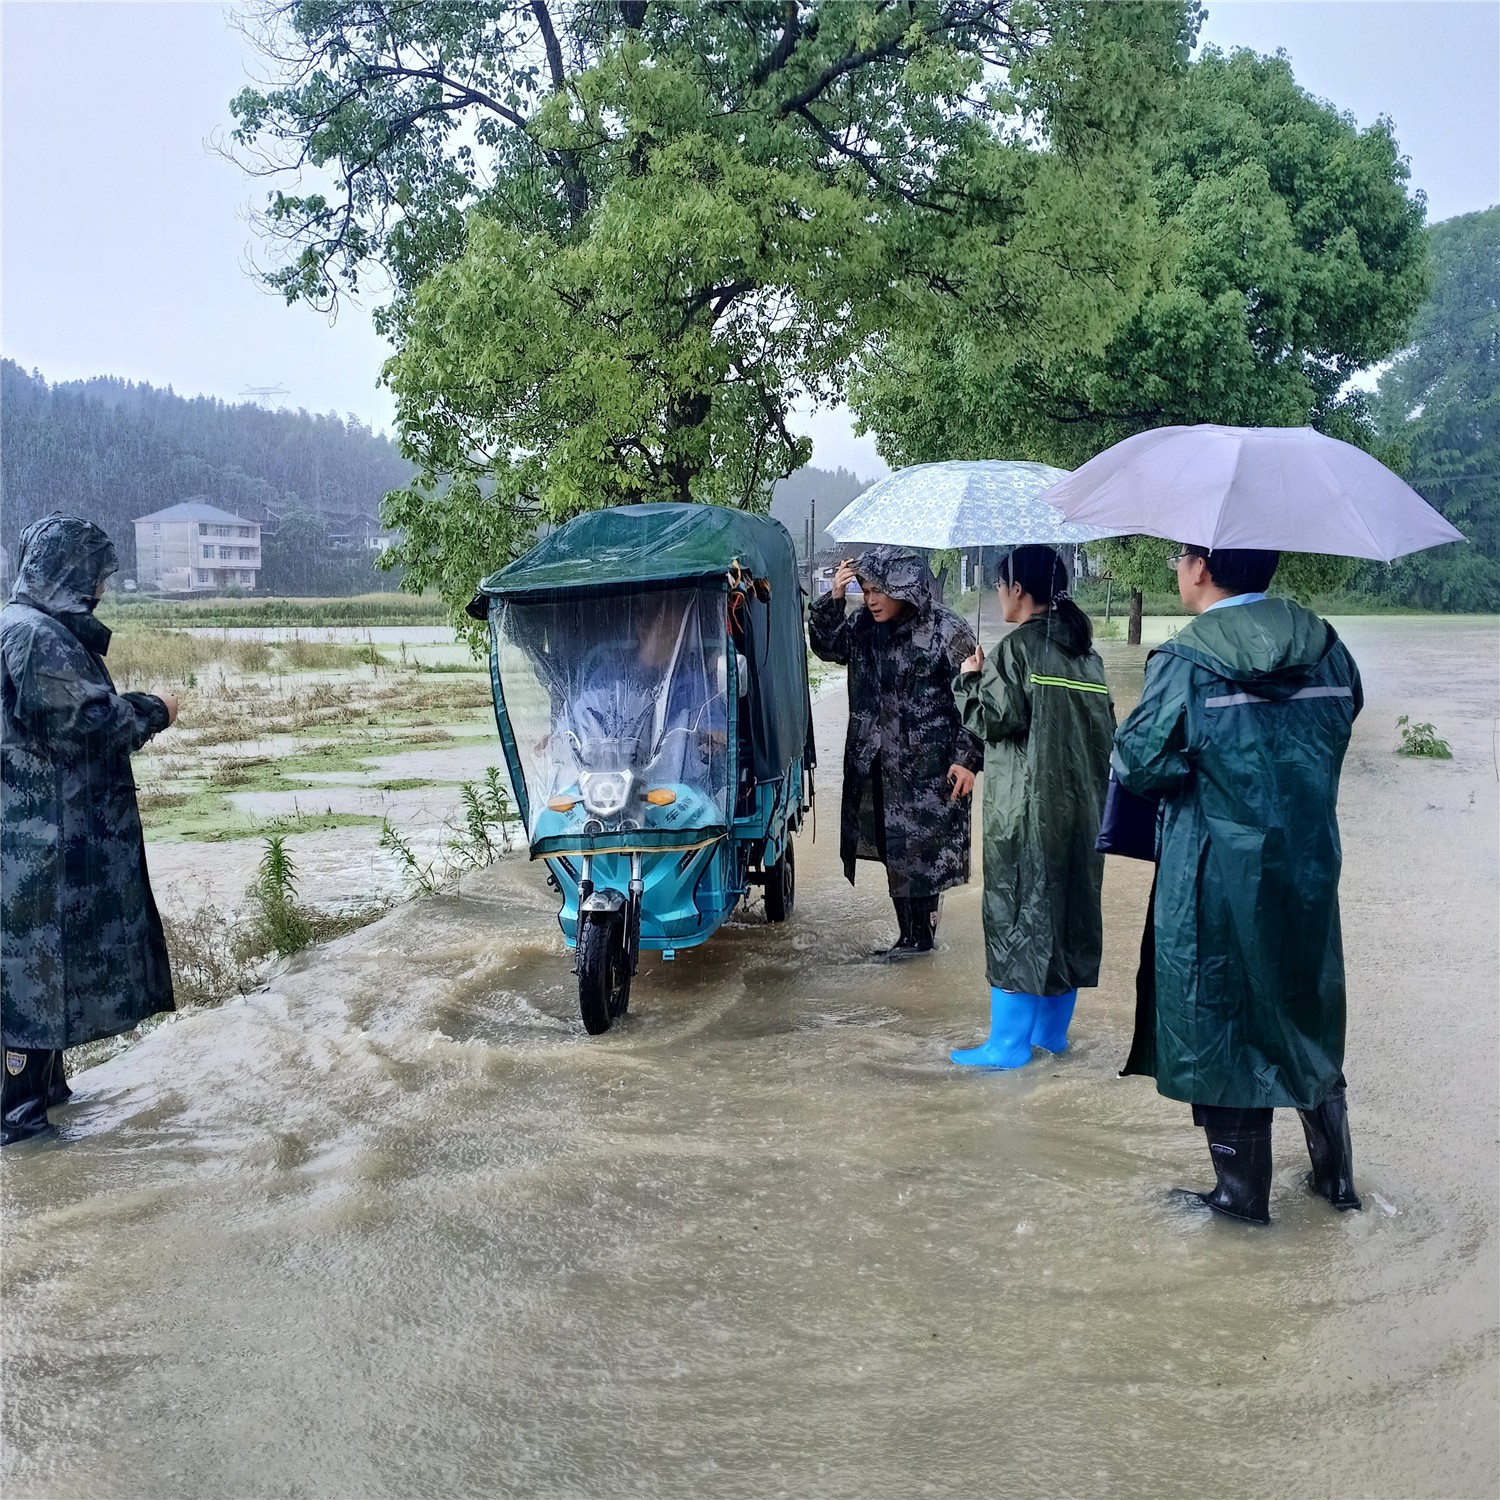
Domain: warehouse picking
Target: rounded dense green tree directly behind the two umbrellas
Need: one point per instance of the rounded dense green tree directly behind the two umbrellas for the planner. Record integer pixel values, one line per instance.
(1286, 254)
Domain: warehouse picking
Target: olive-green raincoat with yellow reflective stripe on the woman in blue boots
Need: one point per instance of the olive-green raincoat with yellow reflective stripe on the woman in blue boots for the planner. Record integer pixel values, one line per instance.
(1046, 719)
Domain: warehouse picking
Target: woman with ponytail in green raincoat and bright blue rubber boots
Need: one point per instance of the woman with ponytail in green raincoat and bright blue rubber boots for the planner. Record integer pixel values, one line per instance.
(1043, 710)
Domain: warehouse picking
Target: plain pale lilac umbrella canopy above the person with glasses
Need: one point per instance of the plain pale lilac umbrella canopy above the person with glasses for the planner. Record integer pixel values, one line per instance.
(1288, 490)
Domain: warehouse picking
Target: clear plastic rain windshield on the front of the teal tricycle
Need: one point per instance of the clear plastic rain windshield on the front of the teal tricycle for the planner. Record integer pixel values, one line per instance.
(620, 715)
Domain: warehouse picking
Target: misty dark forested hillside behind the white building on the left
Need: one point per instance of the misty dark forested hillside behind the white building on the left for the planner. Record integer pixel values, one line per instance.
(113, 451)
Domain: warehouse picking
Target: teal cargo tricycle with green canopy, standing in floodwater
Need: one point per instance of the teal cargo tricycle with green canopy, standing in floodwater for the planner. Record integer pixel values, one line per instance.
(650, 680)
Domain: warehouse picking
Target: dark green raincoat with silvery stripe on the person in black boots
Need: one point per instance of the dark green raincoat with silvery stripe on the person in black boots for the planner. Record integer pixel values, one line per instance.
(1243, 731)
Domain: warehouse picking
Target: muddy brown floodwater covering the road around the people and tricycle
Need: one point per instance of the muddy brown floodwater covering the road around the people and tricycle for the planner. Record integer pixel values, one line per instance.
(397, 1228)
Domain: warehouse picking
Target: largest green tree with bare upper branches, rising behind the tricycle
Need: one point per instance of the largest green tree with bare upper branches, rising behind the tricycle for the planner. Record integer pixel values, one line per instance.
(622, 238)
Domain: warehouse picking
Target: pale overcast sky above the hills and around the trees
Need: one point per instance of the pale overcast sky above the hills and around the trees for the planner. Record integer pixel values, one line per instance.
(127, 248)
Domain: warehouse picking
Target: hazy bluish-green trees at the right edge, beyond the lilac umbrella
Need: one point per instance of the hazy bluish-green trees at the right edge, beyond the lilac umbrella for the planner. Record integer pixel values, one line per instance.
(1441, 404)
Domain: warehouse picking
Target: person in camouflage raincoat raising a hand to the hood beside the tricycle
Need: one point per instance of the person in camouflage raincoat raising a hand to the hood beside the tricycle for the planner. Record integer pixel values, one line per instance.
(910, 763)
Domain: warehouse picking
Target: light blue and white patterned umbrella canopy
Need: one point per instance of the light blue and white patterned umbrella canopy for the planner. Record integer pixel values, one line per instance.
(962, 505)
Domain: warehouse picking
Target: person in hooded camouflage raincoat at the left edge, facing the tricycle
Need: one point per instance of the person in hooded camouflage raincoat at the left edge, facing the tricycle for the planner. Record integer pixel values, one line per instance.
(82, 947)
